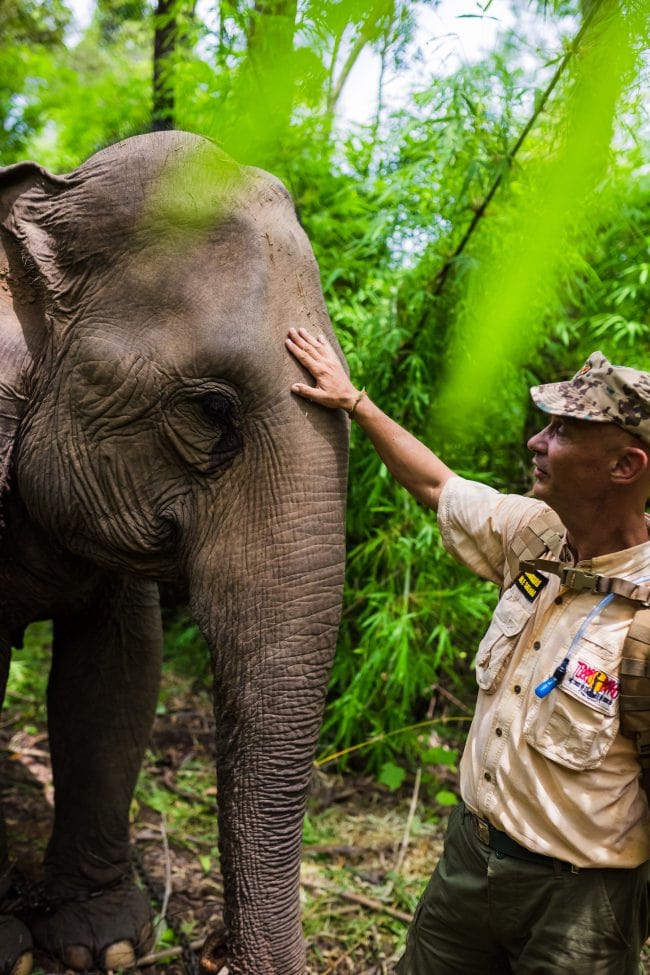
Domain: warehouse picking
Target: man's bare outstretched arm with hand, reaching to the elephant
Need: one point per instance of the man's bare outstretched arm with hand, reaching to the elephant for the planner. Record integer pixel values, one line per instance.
(411, 463)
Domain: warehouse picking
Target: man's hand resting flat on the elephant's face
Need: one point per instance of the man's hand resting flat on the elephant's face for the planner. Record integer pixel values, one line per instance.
(333, 387)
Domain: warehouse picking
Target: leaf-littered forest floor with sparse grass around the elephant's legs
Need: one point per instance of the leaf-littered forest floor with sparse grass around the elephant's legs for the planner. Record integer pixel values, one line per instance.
(368, 852)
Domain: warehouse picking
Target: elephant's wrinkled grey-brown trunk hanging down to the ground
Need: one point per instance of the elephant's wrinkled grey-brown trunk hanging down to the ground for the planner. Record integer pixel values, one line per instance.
(270, 612)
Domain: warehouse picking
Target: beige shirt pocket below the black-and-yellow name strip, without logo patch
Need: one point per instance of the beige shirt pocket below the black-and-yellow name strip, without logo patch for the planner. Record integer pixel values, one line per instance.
(496, 648)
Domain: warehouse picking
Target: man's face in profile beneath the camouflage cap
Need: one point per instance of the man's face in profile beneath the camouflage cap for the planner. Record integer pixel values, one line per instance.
(573, 459)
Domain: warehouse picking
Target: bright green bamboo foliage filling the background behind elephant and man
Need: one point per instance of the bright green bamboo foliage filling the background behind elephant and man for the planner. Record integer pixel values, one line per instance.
(442, 330)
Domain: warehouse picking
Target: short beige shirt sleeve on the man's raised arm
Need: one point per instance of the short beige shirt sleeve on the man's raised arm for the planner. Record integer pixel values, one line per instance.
(479, 524)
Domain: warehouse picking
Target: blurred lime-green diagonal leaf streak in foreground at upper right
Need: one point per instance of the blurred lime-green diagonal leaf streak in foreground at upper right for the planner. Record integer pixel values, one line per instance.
(555, 198)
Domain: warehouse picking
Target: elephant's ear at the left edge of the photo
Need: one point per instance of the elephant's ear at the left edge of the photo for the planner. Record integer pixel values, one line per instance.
(21, 302)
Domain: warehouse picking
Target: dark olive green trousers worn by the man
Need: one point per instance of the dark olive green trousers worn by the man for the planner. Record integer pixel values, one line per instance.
(484, 913)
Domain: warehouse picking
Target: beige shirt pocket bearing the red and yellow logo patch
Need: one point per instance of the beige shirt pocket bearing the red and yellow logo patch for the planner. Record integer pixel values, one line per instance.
(577, 722)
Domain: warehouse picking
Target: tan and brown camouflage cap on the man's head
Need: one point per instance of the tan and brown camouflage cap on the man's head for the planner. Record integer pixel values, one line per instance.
(603, 393)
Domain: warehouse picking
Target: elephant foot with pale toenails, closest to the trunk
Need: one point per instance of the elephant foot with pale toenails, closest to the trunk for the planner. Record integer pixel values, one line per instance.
(107, 930)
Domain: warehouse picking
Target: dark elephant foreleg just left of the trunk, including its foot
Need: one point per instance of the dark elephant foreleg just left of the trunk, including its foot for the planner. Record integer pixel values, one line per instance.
(102, 695)
